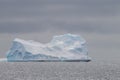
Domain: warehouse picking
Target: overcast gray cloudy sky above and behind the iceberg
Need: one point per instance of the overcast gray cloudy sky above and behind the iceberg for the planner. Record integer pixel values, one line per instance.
(98, 21)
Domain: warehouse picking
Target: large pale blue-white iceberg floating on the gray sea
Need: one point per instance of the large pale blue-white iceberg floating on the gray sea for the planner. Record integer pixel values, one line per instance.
(67, 47)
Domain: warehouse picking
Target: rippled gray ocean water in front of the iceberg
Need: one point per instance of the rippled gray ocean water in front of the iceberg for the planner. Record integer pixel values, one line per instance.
(59, 71)
